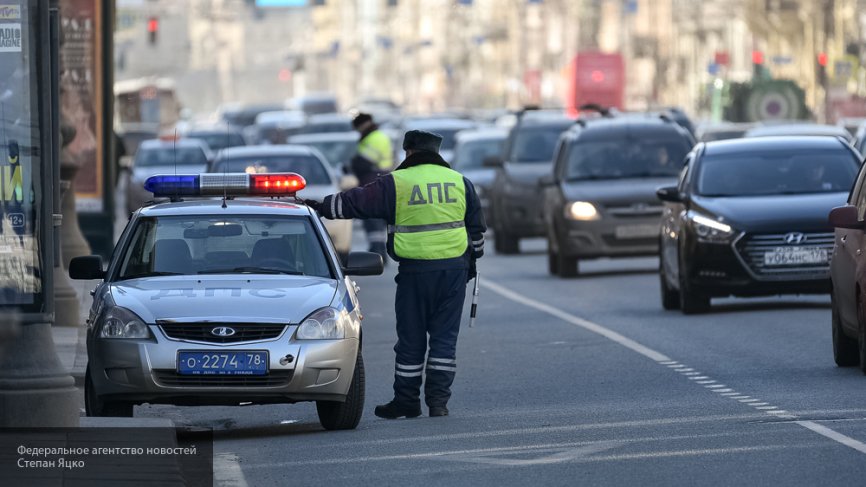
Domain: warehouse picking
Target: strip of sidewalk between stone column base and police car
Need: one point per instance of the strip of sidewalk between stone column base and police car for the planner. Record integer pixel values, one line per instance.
(70, 341)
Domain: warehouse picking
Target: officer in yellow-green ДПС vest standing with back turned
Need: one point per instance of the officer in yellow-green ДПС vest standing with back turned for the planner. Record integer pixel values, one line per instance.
(435, 232)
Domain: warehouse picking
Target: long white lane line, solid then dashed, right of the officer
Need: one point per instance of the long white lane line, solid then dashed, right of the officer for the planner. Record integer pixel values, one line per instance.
(656, 356)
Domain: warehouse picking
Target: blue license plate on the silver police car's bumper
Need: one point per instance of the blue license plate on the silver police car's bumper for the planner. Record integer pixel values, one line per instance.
(242, 362)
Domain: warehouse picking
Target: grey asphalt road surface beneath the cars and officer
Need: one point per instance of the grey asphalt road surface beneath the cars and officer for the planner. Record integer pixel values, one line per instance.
(580, 382)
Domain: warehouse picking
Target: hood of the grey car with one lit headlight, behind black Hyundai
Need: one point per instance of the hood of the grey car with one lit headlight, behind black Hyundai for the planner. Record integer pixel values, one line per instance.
(616, 192)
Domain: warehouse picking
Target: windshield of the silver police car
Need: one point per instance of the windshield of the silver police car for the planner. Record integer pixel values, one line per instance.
(255, 244)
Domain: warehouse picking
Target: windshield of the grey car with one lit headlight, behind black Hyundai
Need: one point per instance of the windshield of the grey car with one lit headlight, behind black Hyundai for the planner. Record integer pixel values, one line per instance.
(617, 159)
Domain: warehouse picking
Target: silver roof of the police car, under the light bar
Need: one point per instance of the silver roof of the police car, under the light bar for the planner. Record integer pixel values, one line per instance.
(214, 206)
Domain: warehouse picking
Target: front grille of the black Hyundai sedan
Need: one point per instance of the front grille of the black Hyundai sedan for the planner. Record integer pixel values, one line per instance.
(751, 250)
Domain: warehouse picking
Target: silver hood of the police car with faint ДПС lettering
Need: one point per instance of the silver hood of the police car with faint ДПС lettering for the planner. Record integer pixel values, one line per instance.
(241, 298)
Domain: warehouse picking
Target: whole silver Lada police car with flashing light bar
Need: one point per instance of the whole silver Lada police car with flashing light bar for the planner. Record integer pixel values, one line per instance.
(225, 295)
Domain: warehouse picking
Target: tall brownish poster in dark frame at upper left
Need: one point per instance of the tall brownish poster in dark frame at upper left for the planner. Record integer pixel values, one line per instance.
(81, 98)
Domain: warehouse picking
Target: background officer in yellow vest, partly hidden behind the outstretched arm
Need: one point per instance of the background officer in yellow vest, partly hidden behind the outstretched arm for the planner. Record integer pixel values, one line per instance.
(374, 158)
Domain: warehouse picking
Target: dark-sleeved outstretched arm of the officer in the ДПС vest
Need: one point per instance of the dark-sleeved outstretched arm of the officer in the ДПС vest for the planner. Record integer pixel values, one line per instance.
(374, 200)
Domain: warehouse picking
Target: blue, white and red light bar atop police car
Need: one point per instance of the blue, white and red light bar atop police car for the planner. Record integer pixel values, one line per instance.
(231, 184)
